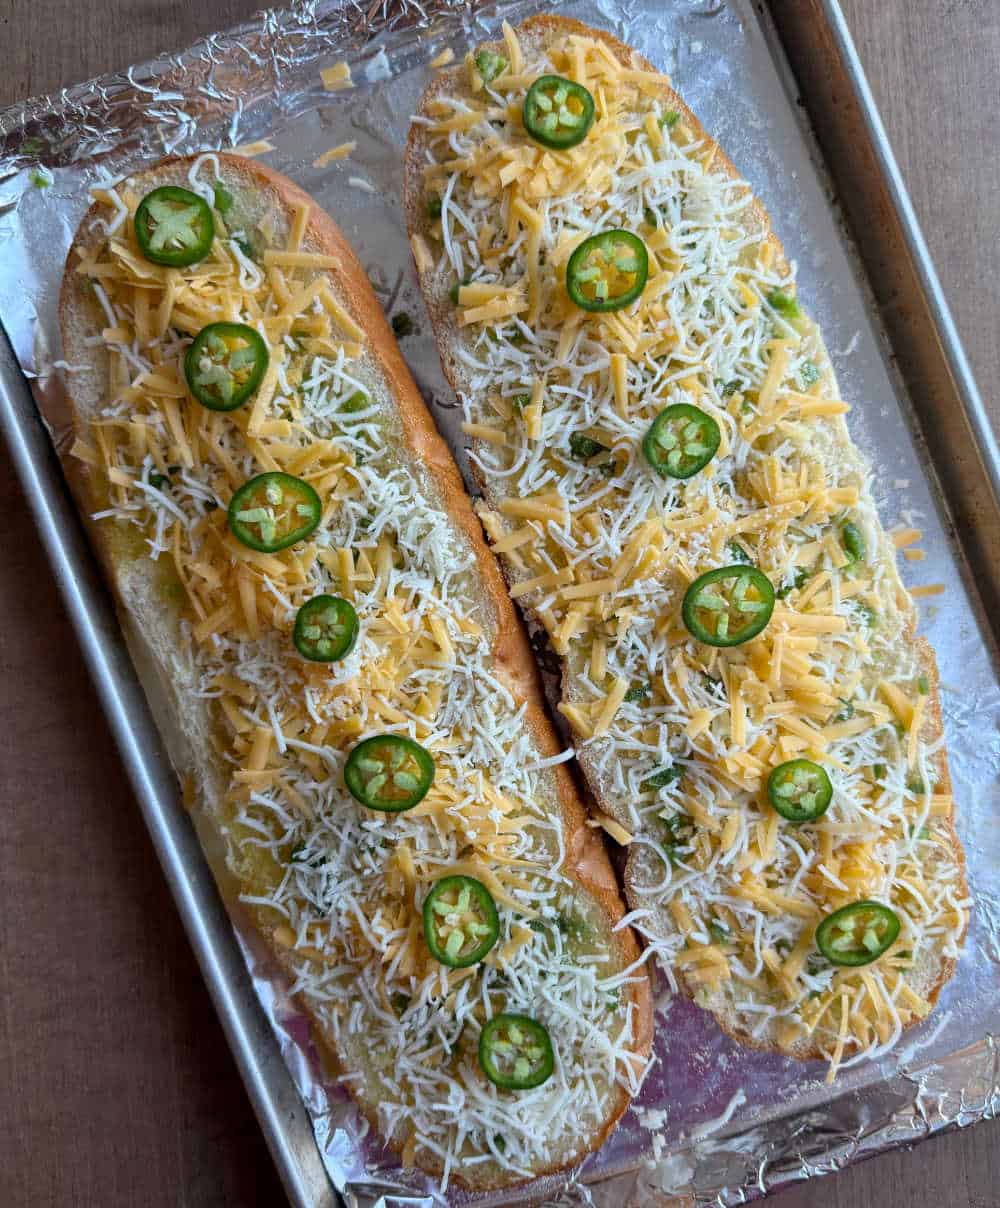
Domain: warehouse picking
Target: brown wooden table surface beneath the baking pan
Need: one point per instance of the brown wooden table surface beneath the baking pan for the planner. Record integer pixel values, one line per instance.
(118, 1088)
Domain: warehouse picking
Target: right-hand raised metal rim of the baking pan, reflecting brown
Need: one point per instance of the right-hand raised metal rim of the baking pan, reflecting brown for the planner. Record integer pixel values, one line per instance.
(922, 342)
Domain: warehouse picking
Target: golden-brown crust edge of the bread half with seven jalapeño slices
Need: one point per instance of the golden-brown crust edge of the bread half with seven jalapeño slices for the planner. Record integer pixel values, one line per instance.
(588, 862)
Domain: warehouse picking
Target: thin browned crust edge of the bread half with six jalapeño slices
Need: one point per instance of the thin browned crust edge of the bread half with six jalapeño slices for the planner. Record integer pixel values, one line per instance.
(450, 82)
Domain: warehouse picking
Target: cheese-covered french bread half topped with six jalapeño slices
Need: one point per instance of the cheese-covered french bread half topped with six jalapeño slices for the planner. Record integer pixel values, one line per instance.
(679, 736)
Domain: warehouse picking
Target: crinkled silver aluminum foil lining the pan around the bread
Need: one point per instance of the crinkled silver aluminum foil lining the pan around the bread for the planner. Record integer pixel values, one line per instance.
(716, 1124)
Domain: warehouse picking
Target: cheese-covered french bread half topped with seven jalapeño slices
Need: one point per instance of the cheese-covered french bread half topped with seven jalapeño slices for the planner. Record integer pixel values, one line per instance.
(263, 734)
